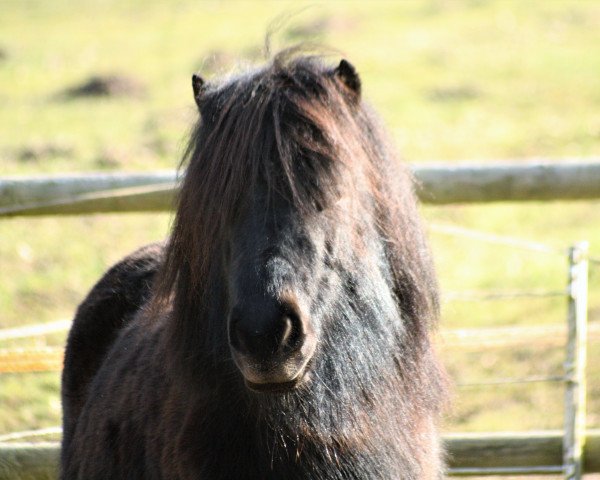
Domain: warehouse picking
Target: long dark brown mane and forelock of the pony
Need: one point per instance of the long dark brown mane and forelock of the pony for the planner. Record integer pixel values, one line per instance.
(294, 125)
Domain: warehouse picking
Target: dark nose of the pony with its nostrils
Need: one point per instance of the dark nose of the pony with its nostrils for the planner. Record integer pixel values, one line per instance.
(263, 336)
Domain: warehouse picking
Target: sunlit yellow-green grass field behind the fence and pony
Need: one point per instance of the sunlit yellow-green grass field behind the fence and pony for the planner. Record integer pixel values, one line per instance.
(454, 80)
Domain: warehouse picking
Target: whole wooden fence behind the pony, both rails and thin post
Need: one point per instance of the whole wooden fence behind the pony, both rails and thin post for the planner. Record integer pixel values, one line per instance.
(469, 454)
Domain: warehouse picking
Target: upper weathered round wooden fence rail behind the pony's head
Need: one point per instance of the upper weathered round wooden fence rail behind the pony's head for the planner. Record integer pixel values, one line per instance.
(439, 184)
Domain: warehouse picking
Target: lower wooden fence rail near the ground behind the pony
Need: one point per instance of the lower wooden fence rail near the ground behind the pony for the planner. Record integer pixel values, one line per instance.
(468, 454)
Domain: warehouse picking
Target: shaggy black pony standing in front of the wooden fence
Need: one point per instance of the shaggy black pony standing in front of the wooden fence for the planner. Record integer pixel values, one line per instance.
(283, 330)
